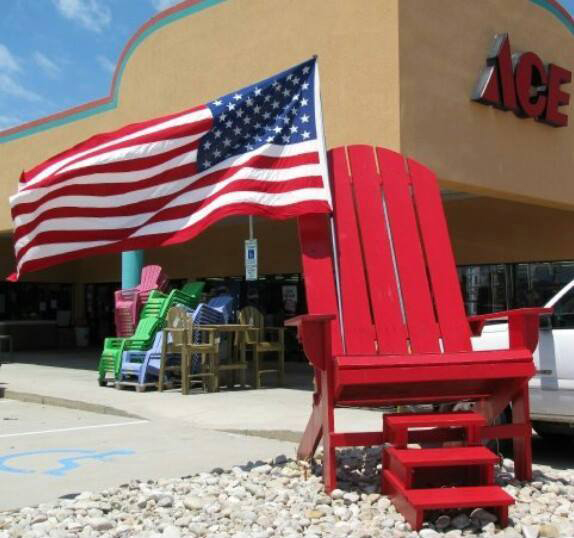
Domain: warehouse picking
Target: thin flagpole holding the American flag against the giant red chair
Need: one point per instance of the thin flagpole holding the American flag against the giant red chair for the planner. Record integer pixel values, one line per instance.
(323, 158)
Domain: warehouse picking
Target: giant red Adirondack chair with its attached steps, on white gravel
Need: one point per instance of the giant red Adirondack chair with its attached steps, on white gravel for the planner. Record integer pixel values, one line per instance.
(392, 330)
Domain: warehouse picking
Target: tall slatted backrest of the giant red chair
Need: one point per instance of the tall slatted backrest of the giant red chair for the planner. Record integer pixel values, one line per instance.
(398, 285)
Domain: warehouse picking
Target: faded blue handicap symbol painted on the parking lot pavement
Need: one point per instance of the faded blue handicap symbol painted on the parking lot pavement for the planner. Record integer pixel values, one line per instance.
(65, 464)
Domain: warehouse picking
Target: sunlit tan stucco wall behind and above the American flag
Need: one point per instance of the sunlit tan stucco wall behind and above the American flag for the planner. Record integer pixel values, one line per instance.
(234, 44)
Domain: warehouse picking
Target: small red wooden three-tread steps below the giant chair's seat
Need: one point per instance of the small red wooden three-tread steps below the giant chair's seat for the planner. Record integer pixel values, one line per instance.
(422, 479)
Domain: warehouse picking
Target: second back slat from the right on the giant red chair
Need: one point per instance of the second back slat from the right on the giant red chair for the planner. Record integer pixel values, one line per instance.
(421, 322)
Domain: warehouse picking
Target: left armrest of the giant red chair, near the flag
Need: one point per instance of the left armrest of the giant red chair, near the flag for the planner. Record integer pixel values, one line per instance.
(314, 332)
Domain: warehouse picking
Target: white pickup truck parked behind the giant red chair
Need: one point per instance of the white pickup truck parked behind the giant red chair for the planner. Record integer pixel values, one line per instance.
(552, 389)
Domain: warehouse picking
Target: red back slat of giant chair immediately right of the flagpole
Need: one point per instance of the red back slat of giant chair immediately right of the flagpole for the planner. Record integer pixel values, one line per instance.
(358, 326)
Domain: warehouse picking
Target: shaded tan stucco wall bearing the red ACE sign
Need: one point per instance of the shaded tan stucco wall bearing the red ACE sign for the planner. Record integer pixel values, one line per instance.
(473, 147)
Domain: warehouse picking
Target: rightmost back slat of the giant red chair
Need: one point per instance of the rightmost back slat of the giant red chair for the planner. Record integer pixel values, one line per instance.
(440, 259)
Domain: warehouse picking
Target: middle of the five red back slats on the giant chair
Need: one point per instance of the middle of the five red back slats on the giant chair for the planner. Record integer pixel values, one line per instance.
(377, 251)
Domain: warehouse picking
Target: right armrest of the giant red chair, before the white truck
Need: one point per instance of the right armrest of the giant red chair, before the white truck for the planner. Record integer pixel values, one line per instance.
(523, 325)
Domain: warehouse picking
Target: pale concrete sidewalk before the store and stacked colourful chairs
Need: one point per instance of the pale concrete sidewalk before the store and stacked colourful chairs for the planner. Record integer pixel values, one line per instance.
(70, 378)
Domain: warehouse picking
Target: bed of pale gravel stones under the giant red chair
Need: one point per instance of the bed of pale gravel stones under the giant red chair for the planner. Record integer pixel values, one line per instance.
(285, 498)
